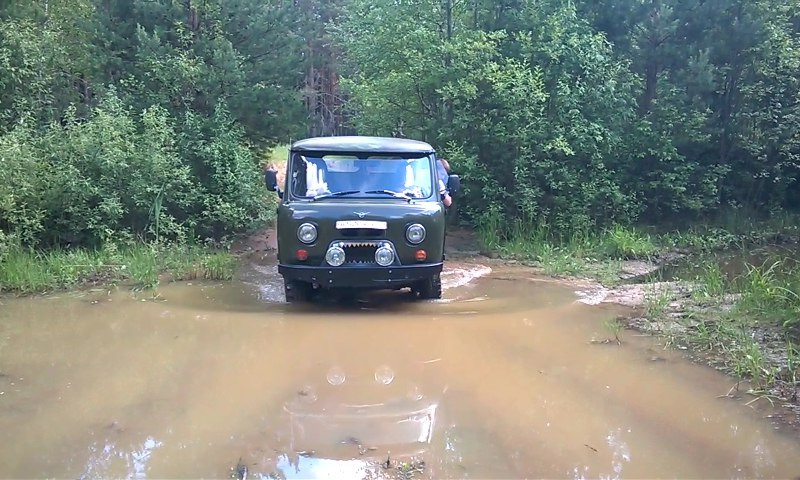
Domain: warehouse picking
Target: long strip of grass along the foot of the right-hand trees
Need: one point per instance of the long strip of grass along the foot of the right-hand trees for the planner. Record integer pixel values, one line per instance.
(599, 254)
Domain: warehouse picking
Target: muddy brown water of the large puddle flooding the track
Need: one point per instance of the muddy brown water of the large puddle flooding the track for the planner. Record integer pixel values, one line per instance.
(501, 379)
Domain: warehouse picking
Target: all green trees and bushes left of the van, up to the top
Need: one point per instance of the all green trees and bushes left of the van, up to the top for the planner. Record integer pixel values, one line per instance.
(139, 119)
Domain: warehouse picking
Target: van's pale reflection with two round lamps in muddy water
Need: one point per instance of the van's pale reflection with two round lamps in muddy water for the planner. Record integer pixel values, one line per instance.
(361, 422)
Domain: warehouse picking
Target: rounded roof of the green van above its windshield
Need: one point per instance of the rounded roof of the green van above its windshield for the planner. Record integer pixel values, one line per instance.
(358, 144)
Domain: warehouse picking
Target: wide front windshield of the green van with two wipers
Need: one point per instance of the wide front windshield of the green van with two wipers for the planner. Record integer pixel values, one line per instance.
(374, 176)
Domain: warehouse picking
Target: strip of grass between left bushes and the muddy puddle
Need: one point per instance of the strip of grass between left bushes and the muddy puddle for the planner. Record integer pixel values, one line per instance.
(144, 266)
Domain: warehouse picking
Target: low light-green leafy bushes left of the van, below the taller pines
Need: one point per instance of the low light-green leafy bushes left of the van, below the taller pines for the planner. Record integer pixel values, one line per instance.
(120, 175)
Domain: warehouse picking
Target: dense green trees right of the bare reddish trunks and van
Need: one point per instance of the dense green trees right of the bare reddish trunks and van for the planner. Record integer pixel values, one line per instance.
(690, 108)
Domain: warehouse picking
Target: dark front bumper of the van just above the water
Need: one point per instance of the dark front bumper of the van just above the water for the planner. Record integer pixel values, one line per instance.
(360, 276)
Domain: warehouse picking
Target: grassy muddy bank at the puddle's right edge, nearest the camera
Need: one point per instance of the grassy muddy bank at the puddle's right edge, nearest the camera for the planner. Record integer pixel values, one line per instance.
(732, 317)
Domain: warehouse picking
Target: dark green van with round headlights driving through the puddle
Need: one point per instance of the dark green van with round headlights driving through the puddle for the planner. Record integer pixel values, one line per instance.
(361, 213)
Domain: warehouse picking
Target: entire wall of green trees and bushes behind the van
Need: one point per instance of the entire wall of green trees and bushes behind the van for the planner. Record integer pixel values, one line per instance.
(579, 115)
